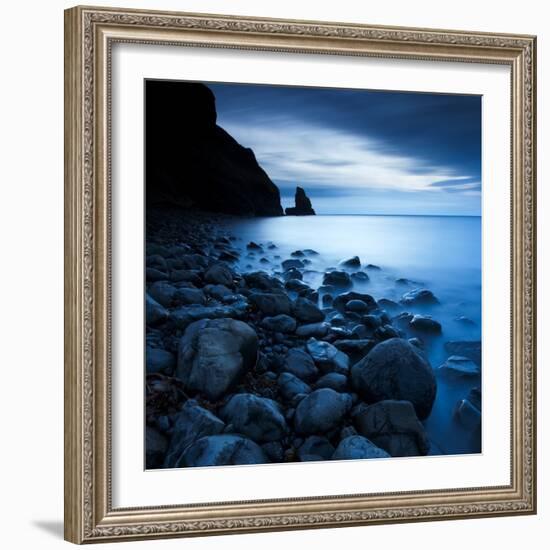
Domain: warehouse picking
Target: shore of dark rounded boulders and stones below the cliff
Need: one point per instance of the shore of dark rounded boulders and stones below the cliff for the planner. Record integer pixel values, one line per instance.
(247, 366)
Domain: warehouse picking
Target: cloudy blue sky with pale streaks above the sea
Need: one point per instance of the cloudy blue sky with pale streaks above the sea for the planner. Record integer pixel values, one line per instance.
(359, 151)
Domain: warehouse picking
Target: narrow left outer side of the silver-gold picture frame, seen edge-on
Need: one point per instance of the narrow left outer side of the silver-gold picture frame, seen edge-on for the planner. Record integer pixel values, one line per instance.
(73, 432)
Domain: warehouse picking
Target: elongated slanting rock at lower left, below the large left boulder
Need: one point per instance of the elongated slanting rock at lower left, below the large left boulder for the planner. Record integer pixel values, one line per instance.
(190, 424)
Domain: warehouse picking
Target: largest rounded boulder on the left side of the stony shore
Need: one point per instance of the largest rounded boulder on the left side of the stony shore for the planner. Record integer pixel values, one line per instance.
(214, 354)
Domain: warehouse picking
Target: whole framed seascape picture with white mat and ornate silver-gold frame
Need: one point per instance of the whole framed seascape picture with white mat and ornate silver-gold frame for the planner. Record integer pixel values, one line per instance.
(300, 274)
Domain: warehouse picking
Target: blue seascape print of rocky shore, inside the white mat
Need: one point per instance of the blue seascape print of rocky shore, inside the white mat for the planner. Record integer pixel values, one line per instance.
(312, 274)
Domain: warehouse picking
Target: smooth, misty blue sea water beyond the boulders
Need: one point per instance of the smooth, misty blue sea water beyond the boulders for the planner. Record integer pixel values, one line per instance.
(440, 253)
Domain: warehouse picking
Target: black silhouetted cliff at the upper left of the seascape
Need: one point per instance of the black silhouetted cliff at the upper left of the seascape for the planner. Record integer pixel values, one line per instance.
(193, 162)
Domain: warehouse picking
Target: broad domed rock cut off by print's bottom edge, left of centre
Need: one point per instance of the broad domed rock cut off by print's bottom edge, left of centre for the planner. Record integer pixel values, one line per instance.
(224, 450)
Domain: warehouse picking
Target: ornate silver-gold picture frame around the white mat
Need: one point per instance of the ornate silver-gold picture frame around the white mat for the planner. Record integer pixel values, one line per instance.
(89, 34)
